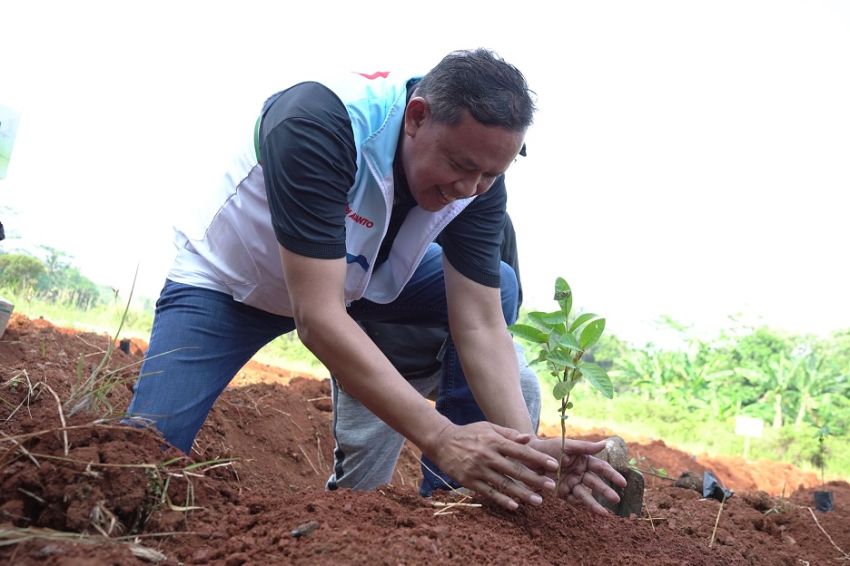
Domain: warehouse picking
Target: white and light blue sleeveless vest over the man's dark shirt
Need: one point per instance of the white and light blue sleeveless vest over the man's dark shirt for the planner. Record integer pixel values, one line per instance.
(233, 249)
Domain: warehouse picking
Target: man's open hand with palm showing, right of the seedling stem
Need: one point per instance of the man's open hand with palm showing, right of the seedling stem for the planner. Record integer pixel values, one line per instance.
(582, 474)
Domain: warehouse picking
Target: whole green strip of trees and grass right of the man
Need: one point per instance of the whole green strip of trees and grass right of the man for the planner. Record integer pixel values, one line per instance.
(689, 395)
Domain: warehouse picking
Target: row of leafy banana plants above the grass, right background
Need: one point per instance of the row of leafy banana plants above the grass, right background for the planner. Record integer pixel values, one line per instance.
(784, 380)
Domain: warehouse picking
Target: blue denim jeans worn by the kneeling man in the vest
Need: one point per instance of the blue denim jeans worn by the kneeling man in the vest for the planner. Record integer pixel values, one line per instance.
(201, 338)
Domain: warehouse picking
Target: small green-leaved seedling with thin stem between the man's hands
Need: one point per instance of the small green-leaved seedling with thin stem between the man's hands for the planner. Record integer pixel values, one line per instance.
(561, 342)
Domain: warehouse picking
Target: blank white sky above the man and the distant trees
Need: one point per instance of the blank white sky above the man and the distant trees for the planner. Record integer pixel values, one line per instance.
(688, 158)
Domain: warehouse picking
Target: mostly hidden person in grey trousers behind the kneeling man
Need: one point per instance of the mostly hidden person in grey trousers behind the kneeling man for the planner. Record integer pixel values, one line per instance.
(367, 449)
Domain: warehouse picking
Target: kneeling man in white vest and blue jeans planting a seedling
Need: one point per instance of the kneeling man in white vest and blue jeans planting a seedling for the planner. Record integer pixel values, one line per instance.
(327, 218)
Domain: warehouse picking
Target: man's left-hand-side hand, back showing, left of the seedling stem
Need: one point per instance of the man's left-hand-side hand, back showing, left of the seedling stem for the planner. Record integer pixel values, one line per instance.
(495, 461)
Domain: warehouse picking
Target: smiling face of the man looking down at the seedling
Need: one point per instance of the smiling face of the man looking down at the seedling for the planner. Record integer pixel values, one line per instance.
(445, 162)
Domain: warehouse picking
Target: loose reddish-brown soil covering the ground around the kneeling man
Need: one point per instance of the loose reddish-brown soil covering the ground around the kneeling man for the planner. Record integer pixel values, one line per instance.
(276, 426)
